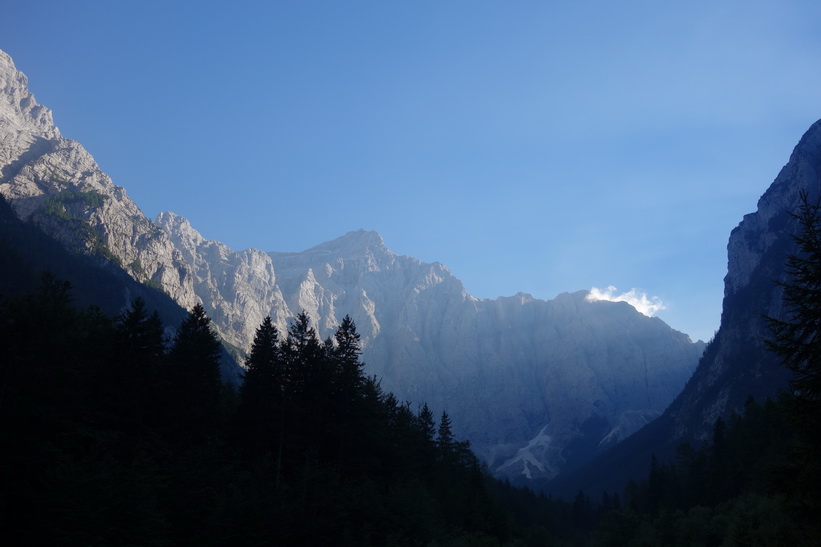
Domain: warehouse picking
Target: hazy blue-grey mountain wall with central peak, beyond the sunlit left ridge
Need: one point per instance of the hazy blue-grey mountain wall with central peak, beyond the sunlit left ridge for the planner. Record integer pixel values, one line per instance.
(535, 385)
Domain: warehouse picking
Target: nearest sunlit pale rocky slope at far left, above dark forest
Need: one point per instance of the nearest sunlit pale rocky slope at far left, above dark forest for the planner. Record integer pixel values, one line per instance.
(55, 182)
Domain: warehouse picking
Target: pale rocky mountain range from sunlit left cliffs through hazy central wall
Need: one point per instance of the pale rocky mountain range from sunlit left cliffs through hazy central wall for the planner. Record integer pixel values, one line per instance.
(537, 386)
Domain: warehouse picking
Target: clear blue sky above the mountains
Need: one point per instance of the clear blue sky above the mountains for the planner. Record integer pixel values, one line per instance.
(541, 147)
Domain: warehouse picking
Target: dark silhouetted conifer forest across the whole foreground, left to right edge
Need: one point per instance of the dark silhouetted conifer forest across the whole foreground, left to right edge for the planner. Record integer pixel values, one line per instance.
(118, 430)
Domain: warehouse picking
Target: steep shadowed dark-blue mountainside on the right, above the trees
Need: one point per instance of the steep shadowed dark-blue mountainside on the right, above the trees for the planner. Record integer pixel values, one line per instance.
(736, 364)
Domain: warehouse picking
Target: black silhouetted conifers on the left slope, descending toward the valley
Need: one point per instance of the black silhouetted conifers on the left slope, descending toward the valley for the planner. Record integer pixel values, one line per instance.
(114, 435)
